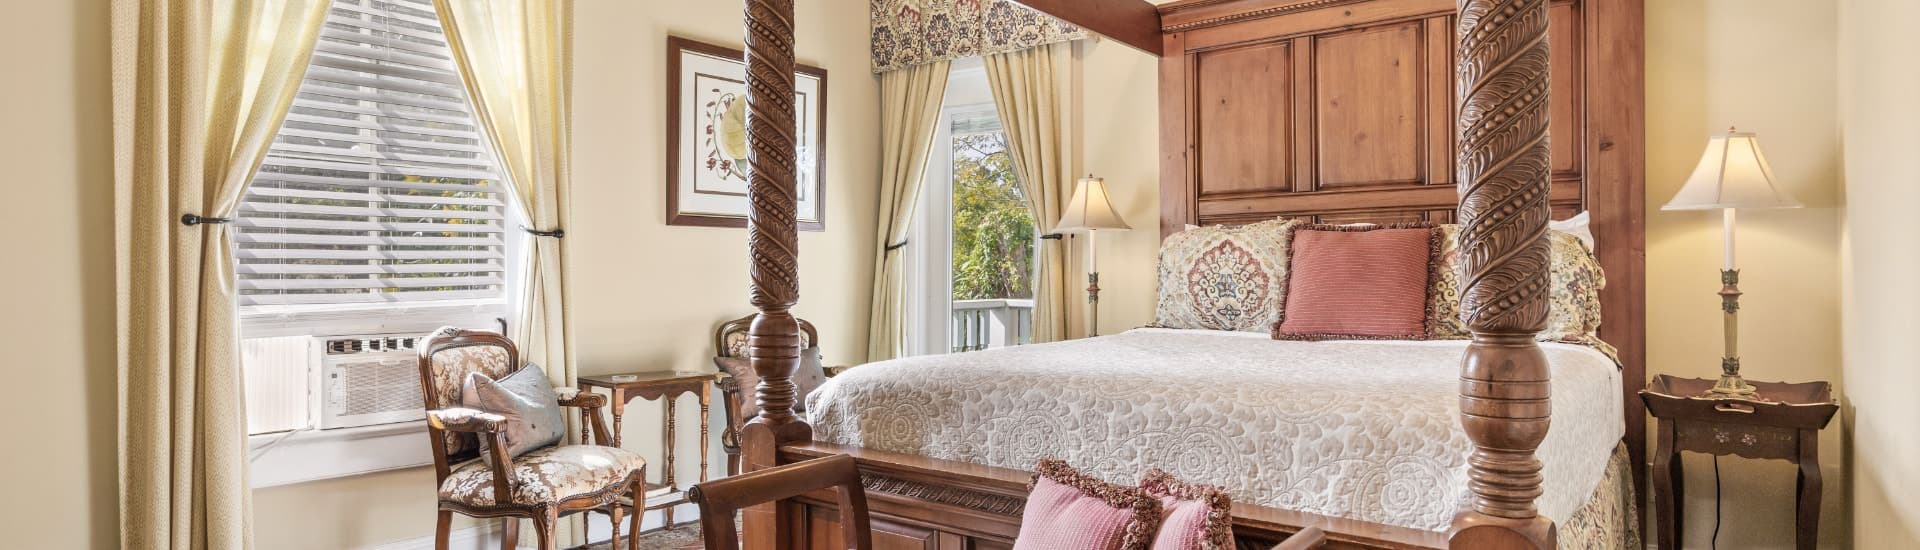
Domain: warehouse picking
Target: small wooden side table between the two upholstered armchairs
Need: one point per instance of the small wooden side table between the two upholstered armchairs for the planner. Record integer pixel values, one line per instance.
(658, 386)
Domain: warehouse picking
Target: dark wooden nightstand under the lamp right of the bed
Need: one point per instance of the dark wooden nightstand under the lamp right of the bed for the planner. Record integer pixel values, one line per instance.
(1783, 424)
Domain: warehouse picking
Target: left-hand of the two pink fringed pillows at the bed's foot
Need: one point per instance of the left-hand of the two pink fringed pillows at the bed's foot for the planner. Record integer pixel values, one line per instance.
(1068, 511)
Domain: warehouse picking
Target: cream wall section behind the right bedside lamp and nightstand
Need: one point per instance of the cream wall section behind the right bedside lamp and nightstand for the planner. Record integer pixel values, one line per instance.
(1769, 68)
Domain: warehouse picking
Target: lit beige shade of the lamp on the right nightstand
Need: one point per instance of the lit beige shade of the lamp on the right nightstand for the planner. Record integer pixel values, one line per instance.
(1733, 174)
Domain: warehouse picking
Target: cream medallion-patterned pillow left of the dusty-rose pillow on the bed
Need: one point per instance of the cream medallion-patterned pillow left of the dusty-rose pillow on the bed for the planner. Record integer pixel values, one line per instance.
(1224, 278)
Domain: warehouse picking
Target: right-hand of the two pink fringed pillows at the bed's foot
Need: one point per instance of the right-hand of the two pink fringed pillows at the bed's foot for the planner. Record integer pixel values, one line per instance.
(1193, 516)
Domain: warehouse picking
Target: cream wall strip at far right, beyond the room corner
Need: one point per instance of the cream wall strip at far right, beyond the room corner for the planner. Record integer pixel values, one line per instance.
(1879, 84)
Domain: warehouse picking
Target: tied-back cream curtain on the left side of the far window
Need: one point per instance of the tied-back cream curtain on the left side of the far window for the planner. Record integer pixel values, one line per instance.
(909, 112)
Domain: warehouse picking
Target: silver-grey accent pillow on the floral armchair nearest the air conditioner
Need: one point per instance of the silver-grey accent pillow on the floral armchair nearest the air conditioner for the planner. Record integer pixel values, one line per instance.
(533, 411)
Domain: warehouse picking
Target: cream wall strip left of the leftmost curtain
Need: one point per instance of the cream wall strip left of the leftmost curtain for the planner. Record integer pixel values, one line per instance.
(59, 282)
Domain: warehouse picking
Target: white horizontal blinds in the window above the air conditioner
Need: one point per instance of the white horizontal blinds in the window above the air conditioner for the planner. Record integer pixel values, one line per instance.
(379, 187)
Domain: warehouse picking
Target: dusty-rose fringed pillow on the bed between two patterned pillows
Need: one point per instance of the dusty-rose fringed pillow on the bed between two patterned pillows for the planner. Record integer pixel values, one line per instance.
(1356, 284)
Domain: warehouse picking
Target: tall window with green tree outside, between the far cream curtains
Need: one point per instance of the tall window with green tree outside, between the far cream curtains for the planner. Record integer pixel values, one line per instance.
(976, 268)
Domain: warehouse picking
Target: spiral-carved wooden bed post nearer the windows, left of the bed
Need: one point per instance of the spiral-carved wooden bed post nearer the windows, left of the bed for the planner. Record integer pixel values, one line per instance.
(775, 337)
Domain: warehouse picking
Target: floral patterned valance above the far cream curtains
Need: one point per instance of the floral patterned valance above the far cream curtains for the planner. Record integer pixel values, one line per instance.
(923, 32)
